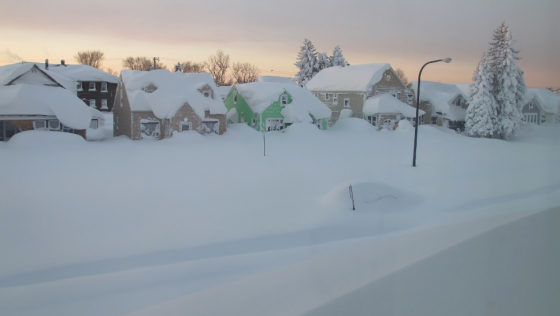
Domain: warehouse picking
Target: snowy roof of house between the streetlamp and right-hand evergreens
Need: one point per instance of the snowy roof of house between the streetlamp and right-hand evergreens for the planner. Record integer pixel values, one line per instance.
(441, 96)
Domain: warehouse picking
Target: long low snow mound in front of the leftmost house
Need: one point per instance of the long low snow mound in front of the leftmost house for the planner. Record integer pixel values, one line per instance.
(45, 139)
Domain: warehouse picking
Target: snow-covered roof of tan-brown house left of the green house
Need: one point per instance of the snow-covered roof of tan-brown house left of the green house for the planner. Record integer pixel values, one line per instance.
(174, 89)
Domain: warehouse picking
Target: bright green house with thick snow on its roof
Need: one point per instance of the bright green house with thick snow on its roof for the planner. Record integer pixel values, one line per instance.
(277, 104)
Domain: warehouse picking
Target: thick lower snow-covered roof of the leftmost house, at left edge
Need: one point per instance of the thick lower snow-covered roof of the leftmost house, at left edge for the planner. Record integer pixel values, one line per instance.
(31, 99)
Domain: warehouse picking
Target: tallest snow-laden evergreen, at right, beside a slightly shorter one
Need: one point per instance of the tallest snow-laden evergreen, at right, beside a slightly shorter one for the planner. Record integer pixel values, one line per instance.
(508, 84)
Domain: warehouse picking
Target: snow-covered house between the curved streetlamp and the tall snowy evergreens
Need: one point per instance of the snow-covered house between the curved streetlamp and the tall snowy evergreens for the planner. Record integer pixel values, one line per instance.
(445, 104)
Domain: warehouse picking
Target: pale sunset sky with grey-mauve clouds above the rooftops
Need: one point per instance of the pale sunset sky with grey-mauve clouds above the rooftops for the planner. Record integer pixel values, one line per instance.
(269, 34)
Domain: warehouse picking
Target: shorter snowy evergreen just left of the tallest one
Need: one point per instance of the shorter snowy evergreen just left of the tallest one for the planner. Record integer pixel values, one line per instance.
(481, 112)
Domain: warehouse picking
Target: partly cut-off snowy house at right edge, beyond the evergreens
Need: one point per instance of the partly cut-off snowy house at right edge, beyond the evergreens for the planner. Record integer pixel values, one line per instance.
(541, 106)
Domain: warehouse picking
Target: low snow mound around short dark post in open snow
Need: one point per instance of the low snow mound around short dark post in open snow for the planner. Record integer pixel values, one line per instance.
(370, 196)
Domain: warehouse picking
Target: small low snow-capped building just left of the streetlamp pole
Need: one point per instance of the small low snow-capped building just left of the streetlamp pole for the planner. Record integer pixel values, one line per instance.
(384, 109)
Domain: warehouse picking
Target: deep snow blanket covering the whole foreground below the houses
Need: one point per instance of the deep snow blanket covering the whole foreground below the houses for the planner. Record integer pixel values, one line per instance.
(206, 225)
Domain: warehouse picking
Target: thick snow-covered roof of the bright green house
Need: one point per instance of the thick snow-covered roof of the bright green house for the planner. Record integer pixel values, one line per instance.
(260, 95)
